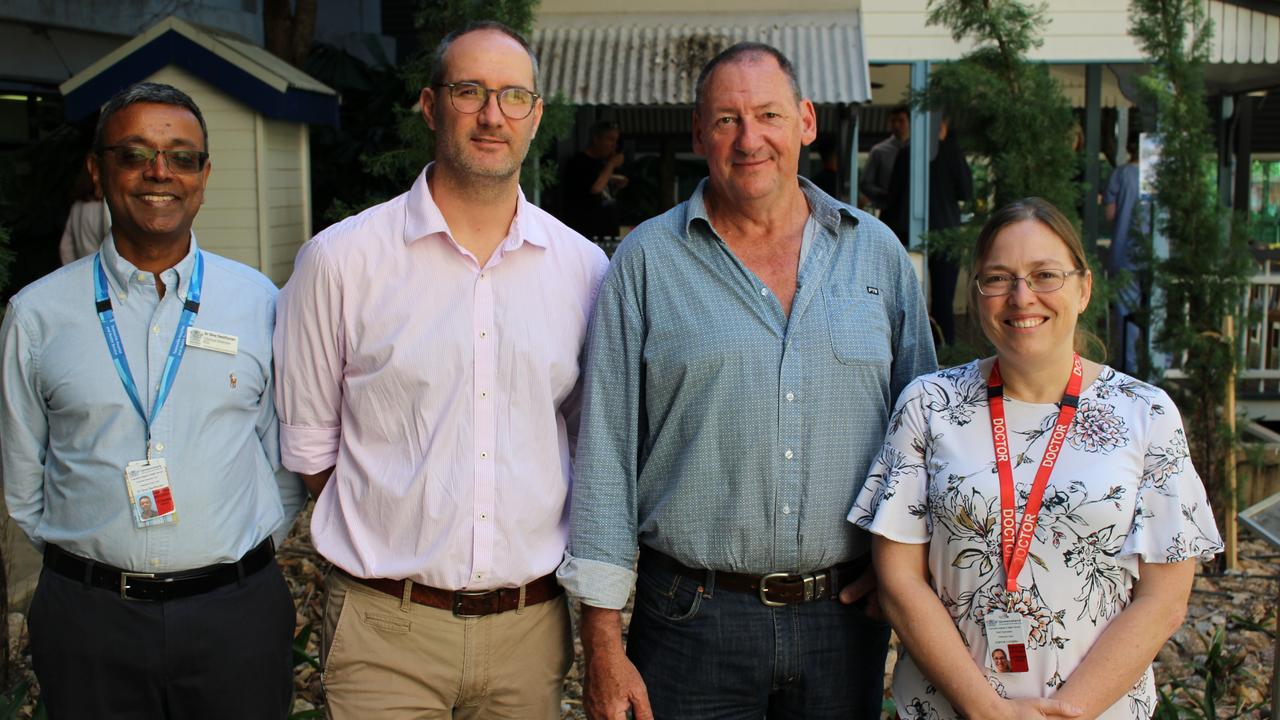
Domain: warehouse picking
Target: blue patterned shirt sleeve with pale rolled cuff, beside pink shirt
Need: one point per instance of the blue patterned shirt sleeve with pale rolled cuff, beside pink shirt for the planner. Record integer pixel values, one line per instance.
(602, 546)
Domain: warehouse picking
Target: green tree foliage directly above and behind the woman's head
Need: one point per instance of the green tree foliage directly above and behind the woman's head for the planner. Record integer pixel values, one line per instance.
(1005, 108)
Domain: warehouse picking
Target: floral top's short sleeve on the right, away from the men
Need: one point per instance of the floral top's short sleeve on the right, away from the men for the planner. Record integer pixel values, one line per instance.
(1173, 520)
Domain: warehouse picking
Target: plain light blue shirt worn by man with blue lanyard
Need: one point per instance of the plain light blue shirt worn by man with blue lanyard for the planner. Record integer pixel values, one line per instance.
(68, 429)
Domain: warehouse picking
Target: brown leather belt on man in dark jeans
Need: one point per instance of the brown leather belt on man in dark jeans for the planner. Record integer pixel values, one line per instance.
(774, 589)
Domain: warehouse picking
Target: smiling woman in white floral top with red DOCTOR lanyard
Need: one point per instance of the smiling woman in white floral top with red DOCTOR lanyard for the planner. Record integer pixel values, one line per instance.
(1057, 614)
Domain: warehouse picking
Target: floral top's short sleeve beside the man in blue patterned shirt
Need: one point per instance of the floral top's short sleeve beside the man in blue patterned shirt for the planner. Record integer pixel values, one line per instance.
(894, 502)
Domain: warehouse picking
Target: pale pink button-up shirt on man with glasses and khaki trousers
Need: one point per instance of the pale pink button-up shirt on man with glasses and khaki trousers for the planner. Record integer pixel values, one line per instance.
(445, 395)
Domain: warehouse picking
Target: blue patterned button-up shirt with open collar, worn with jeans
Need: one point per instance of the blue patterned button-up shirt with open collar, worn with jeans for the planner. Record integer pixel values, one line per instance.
(716, 429)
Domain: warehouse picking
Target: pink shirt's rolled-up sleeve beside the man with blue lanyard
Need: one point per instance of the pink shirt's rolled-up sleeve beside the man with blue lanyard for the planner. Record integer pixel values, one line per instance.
(309, 363)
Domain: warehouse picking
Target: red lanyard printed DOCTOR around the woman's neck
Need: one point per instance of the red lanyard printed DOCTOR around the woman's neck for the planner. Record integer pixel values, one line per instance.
(1016, 539)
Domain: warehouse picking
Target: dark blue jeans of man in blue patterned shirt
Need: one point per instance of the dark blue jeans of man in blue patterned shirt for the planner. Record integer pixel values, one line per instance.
(725, 655)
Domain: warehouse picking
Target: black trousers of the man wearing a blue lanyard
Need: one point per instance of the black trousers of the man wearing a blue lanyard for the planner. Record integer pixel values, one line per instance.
(220, 655)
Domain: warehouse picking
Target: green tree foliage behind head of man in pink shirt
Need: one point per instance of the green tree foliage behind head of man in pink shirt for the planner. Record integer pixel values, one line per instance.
(437, 19)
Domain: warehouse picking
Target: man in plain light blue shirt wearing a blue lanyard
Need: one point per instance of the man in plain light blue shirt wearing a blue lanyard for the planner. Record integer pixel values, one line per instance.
(140, 452)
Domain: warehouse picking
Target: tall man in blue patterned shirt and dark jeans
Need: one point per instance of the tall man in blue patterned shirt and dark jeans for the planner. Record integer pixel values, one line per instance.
(746, 353)
